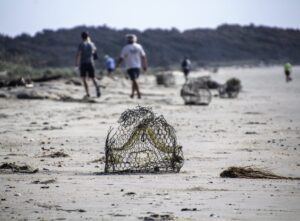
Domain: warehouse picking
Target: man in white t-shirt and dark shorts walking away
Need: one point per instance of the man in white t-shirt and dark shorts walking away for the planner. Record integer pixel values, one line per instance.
(134, 58)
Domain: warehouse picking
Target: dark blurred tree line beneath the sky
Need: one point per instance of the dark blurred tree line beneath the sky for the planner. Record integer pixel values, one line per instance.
(225, 44)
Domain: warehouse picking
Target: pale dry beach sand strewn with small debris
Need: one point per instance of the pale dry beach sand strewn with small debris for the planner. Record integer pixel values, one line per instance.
(260, 128)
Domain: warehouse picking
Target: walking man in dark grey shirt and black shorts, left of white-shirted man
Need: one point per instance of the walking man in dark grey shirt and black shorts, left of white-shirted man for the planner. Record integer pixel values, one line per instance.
(85, 61)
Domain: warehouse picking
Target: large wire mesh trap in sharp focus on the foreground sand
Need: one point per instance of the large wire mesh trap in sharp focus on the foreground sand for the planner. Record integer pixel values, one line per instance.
(143, 142)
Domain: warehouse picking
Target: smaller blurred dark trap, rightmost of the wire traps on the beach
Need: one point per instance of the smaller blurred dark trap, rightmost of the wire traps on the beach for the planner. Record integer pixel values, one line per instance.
(230, 89)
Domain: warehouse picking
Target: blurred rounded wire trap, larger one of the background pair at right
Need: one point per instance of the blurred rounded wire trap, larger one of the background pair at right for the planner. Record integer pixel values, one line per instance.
(196, 92)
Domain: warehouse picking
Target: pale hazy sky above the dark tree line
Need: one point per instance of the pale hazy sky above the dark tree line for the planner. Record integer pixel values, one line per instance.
(31, 16)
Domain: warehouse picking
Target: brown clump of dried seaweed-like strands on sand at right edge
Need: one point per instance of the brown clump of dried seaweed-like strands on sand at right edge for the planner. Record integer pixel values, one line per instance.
(252, 173)
